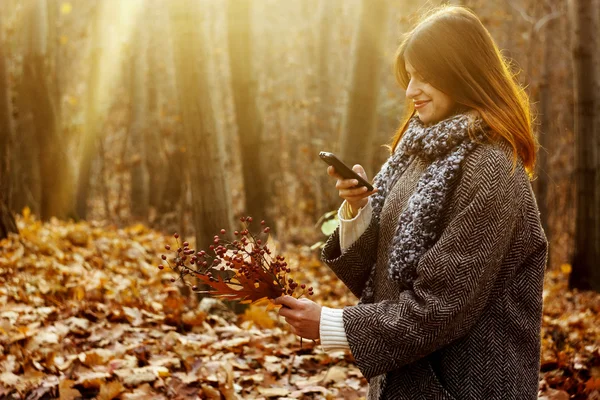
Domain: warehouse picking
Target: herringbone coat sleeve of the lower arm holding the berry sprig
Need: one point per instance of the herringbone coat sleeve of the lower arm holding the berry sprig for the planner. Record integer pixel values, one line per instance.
(454, 277)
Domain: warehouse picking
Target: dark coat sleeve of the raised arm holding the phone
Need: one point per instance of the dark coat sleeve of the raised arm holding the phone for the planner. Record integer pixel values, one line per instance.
(353, 266)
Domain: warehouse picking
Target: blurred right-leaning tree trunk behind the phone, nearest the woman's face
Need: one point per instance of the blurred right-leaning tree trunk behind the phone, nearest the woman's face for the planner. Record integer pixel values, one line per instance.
(360, 119)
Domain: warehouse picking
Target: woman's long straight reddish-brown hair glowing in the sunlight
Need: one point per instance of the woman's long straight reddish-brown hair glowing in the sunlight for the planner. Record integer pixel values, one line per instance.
(456, 54)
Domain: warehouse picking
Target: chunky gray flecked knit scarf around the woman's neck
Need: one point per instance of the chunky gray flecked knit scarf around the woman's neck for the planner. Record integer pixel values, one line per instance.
(444, 146)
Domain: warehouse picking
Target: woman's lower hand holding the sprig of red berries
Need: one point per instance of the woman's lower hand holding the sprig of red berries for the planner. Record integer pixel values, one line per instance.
(303, 315)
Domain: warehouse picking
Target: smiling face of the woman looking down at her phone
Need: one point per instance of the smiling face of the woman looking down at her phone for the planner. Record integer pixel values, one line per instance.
(431, 104)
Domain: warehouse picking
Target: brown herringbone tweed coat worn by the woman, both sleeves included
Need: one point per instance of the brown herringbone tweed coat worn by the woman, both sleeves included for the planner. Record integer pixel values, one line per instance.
(469, 326)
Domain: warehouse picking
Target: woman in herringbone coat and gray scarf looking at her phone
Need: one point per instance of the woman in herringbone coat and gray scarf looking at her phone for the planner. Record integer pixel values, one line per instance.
(447, 254)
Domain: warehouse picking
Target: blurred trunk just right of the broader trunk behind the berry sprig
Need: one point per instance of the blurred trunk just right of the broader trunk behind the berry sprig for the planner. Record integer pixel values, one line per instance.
(248, 117)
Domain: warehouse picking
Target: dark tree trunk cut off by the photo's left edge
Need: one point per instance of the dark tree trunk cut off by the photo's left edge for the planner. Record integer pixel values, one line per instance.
(7, 220)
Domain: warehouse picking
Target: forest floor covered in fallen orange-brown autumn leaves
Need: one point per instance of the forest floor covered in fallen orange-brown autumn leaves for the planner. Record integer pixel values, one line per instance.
(85, 313)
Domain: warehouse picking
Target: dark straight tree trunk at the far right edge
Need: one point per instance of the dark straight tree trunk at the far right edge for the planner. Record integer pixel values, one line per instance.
(585, 274)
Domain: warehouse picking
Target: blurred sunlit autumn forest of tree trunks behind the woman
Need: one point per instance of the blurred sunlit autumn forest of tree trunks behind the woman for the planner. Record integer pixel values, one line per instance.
(184, 115)
